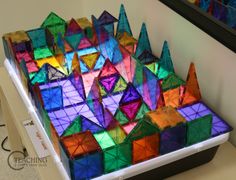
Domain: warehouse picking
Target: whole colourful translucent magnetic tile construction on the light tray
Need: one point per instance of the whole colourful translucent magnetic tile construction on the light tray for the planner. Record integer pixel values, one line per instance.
(105, 100)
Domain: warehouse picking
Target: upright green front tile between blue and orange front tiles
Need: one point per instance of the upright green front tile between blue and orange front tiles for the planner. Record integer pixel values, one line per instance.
(117, 157)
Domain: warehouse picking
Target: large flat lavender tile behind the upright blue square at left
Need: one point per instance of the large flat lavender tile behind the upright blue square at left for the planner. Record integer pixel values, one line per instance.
(70, 94)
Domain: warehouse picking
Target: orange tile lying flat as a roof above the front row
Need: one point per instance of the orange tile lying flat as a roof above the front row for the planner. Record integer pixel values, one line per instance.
(165, 117)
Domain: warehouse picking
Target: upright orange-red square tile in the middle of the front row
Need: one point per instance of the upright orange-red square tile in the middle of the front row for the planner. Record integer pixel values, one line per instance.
(145, 148)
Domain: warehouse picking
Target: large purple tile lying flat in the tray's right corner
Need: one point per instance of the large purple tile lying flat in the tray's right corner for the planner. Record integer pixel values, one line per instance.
(198, 110)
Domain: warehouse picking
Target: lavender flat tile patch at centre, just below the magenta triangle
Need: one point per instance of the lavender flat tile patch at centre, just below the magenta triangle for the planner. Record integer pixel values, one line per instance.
(112, 102)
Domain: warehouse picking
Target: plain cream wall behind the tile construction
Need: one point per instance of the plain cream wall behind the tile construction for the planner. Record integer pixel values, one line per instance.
(216, 64)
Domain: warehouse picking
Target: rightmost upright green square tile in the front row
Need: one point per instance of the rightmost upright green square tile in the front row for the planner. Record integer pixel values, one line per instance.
(199, 129)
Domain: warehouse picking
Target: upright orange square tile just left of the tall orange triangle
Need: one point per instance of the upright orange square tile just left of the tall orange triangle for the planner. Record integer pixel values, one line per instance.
(172, 97)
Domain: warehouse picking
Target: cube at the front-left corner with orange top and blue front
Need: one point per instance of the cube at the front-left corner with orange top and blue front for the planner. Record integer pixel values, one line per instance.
(82, 155)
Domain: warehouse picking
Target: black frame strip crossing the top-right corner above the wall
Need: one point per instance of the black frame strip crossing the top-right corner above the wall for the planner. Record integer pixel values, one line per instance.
(218, 30)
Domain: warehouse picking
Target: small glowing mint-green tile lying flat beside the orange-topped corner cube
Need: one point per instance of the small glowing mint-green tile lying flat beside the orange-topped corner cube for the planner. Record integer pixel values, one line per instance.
(104, 140)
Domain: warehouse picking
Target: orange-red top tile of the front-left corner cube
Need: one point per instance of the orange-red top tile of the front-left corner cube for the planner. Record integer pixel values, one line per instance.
(80, 143)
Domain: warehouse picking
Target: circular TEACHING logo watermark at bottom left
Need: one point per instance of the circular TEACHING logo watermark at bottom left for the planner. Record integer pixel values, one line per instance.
(17, 160)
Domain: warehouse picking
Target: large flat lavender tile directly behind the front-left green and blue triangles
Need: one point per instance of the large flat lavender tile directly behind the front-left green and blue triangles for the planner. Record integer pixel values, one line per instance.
(61, 119)
